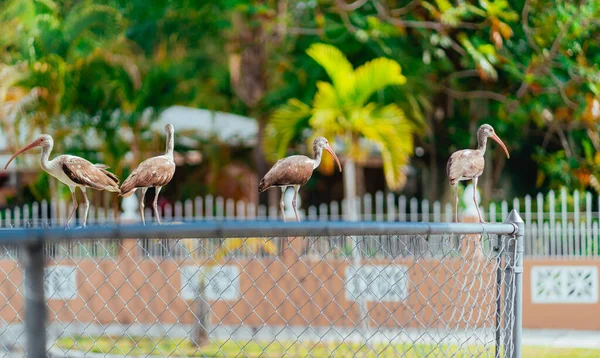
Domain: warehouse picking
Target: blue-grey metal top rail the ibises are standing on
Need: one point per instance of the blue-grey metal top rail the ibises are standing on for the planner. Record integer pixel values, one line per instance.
(225, 229)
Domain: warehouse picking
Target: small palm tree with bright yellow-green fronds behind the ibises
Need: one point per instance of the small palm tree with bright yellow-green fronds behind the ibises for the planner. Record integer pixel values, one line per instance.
(341, 109)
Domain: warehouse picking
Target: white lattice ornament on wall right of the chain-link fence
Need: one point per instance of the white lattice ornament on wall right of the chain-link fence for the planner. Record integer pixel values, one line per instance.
(564, 284)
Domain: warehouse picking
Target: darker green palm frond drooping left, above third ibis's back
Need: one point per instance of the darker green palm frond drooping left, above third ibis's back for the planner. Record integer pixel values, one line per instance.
(284, 124)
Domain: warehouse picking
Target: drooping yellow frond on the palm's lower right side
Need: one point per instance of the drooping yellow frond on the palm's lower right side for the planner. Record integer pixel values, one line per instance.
(393, 133)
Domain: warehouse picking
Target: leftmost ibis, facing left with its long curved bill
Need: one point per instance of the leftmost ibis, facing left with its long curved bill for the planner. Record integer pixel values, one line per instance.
(72, 171)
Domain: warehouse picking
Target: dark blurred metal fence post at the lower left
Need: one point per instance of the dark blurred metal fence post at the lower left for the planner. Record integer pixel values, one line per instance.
(35, 302)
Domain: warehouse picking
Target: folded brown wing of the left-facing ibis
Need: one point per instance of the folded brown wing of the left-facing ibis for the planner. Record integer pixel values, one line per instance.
(85, 173)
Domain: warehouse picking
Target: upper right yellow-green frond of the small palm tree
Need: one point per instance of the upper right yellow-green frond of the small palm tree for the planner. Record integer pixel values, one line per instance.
(375, 75)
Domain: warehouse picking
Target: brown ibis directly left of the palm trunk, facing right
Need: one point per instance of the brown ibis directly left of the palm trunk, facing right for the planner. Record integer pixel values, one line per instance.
(295, 171)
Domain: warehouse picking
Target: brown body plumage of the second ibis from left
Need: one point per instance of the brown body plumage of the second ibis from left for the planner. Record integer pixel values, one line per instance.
(152, 172)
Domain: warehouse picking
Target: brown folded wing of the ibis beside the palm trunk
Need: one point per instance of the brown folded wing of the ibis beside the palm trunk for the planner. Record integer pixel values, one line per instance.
(294, 170)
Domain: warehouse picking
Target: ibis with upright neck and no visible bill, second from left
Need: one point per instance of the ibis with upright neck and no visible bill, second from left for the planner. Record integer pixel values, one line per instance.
(153, 172)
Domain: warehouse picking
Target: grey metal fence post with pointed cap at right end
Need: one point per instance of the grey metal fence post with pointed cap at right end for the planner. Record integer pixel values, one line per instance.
(514, 284)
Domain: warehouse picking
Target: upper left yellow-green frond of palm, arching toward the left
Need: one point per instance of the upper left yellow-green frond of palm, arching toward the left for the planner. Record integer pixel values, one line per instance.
(337, 66)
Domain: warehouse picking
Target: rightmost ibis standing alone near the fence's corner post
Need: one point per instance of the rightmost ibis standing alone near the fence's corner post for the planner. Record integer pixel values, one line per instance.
(468, 164)
